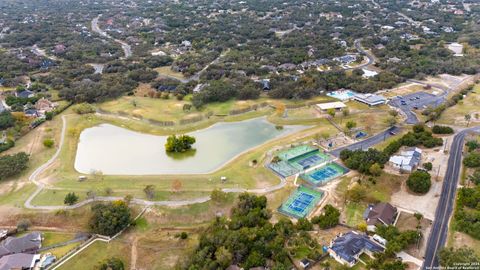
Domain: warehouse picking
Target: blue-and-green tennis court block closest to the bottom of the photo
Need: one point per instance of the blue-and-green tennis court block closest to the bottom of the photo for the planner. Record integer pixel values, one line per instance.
(301, 202)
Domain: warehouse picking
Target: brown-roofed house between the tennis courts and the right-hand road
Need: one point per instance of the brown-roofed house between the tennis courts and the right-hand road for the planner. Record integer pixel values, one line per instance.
(381, 213)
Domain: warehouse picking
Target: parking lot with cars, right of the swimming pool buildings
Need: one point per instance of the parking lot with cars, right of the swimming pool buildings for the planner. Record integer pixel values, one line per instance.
(416, 101)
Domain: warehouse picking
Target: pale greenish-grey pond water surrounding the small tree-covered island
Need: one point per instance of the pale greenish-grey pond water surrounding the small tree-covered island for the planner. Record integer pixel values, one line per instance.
(118, 151)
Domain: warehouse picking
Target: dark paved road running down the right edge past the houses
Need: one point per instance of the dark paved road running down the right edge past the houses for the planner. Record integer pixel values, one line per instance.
(439, 232)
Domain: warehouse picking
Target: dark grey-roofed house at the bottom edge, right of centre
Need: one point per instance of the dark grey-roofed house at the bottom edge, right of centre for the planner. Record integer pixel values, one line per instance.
(347, 248)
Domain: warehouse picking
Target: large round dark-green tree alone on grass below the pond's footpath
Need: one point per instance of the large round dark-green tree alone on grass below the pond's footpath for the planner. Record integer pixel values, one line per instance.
(109, 219)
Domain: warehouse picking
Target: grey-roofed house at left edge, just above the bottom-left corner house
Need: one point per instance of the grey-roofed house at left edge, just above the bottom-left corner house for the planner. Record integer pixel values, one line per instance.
(30, 242)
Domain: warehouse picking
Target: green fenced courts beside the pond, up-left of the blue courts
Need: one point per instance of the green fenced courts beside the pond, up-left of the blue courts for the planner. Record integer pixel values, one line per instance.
(297, 159)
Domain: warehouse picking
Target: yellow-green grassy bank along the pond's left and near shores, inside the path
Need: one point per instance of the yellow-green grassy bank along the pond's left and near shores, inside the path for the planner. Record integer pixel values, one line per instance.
(239, 172)
